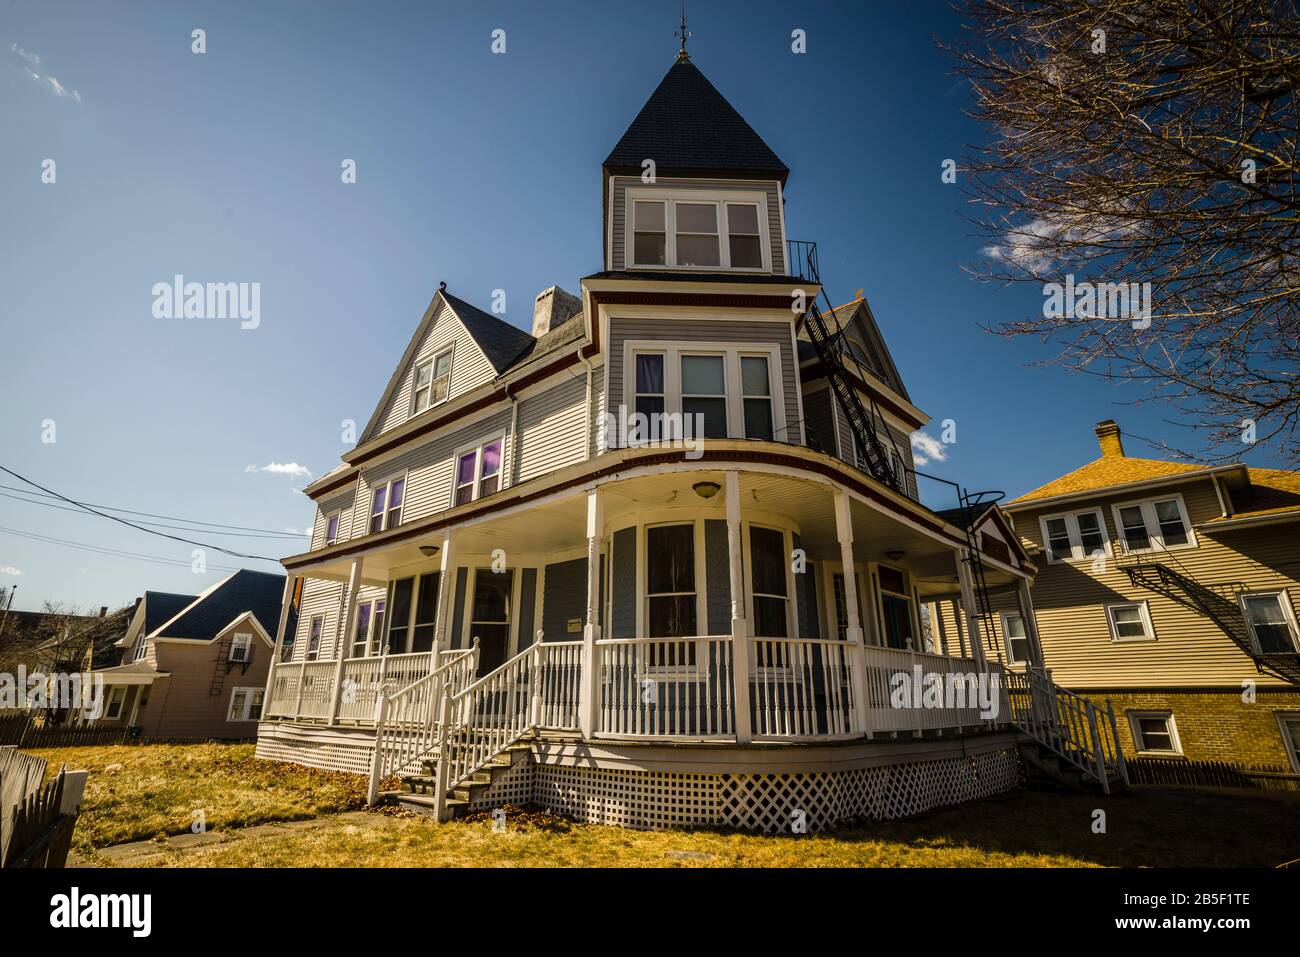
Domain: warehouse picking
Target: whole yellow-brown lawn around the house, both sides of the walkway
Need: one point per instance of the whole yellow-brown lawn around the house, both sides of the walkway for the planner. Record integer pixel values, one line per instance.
(159, 786)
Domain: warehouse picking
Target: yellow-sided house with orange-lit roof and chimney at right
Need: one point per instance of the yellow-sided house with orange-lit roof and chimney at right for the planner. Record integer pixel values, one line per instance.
(1172, 591)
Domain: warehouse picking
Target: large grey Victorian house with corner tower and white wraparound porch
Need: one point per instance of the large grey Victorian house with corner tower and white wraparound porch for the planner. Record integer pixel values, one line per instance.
(512, 600)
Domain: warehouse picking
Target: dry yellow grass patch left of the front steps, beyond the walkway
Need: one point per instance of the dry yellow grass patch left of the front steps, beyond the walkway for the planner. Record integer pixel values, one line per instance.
(159, 787)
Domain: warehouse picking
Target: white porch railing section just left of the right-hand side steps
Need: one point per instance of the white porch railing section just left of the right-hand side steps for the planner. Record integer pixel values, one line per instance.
(894, 704)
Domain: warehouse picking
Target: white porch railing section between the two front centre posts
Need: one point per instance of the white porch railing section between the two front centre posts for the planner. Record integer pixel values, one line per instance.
(666, 688)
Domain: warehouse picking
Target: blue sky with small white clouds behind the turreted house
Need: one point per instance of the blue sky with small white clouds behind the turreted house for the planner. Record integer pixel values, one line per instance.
(475, 168)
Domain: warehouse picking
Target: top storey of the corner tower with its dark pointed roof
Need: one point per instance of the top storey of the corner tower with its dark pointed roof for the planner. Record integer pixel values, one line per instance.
(710, 202)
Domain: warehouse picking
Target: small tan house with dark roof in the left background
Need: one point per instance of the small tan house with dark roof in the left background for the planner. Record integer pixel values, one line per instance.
(196, 666)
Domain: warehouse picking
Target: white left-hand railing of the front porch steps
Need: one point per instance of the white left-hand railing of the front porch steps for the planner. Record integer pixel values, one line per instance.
(408, 722)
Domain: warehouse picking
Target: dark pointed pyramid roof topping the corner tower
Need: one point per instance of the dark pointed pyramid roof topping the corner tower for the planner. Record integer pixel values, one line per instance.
(687, 127)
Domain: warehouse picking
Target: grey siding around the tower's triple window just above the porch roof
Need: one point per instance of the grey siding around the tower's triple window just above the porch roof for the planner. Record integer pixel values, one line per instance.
(712, 331)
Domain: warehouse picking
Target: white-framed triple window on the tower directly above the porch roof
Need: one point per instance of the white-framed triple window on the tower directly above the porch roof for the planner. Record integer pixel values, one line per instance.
(735, 388)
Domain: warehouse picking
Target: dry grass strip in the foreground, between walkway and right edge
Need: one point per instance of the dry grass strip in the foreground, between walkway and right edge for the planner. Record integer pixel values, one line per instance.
(1020, 830)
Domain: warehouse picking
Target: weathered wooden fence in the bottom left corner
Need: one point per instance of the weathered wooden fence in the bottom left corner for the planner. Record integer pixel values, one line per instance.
(37, 821)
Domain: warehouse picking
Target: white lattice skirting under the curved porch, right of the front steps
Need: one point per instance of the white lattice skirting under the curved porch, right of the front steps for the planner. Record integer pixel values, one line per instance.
(768, 803)
